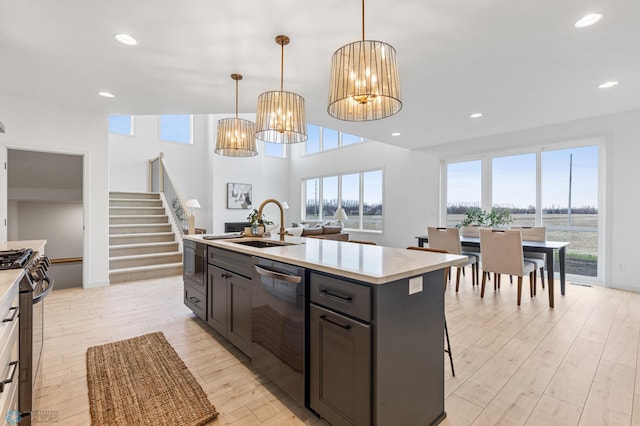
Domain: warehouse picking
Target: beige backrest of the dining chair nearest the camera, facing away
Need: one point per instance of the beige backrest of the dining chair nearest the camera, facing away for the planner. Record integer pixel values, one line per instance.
(501, 251)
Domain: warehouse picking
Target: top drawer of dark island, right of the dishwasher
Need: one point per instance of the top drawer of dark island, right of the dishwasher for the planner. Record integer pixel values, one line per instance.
(343, 296)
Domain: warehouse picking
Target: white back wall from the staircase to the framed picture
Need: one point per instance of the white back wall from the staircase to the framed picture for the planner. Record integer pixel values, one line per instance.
(196, 170)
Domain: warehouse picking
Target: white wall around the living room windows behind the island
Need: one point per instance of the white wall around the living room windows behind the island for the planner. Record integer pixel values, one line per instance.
(410, 195)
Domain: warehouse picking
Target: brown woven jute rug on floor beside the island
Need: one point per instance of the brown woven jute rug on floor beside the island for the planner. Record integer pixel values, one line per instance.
(143, 381)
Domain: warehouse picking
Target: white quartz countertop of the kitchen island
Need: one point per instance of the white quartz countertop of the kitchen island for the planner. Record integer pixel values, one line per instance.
(363, 262)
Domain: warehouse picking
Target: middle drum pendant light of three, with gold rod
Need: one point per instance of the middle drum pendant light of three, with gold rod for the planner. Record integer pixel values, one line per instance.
(280, 116)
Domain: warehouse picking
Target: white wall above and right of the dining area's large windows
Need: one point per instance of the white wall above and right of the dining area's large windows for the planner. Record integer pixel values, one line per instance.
(621, 133)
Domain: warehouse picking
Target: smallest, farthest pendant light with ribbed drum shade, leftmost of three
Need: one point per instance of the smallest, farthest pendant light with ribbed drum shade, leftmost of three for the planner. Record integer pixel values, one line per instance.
(236, 136)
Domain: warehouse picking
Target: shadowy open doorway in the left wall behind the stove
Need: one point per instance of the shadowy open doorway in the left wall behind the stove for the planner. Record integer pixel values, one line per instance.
(45, 201)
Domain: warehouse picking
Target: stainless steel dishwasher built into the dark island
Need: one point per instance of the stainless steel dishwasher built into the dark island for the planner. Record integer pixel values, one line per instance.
(278, 326)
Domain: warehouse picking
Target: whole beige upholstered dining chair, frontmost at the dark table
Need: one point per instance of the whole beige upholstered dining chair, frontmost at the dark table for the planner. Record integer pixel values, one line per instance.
(501, 253)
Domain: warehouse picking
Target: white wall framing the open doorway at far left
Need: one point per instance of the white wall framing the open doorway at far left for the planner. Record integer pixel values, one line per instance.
(54, 128)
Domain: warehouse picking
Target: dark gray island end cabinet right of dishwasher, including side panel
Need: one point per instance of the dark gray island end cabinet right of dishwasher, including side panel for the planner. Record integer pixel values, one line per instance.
(376, 352)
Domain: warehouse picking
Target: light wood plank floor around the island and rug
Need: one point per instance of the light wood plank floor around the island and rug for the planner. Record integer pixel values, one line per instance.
(575, 364)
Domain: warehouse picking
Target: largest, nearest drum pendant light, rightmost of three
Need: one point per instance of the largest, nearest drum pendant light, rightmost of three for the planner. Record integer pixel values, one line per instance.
(364, 82)
